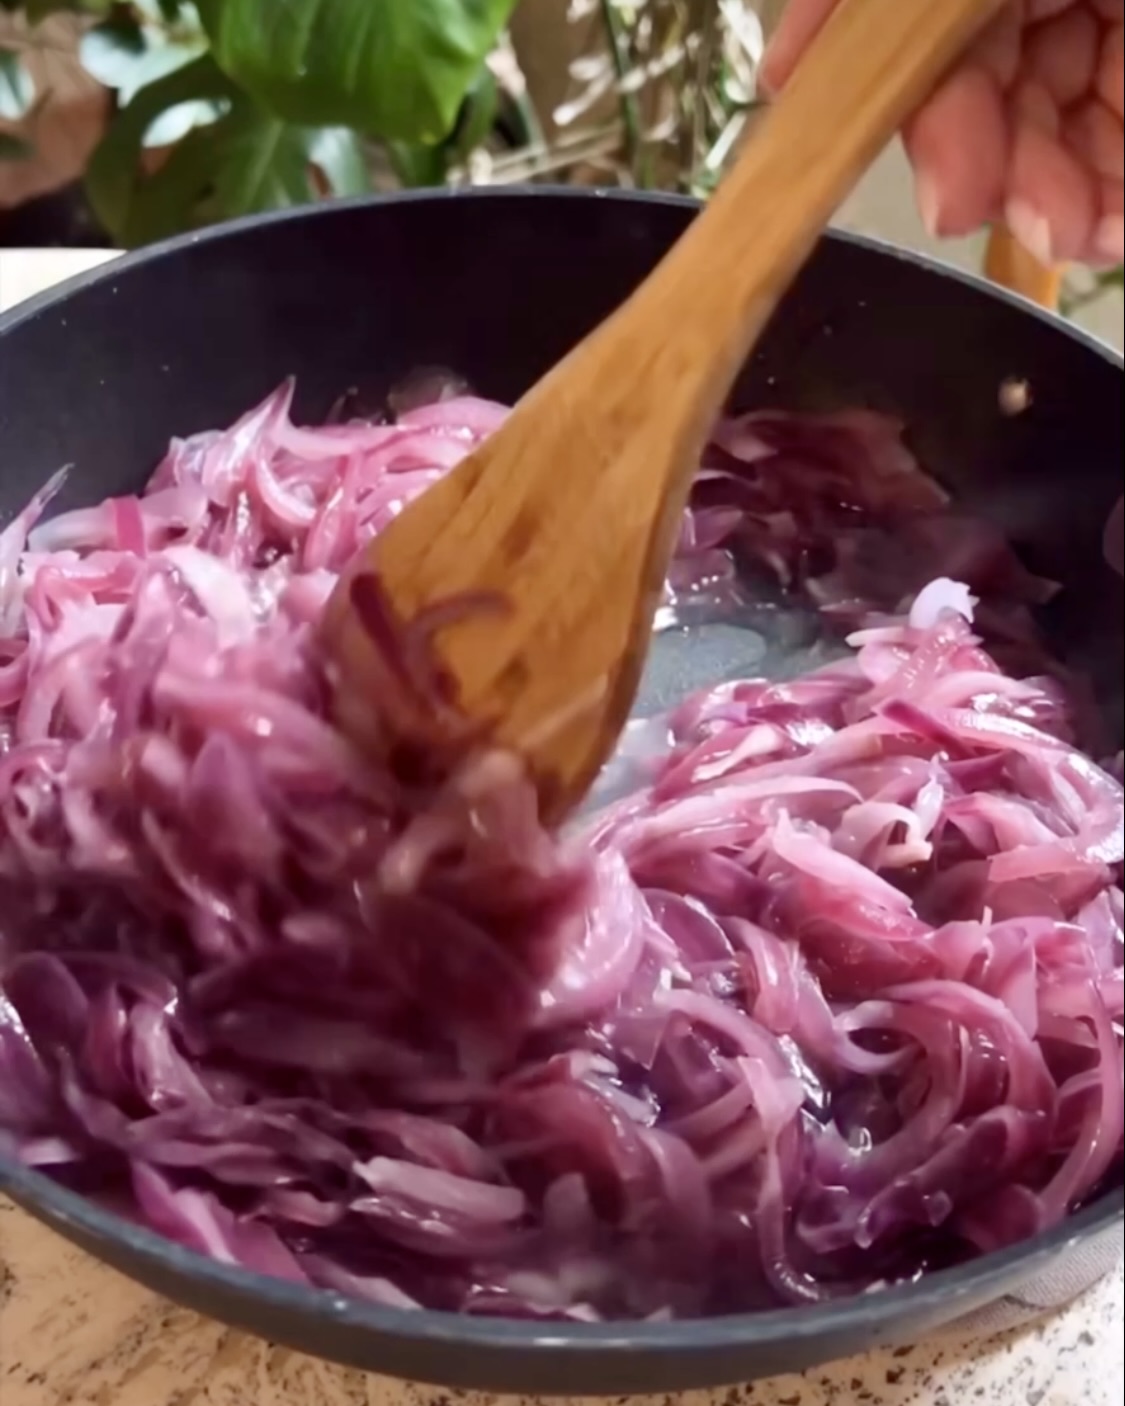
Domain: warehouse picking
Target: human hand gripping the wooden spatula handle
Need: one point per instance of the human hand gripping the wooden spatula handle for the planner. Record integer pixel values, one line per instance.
(1027, 130)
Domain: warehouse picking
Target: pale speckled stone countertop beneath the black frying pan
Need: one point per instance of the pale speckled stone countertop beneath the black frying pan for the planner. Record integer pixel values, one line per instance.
(75, 1334)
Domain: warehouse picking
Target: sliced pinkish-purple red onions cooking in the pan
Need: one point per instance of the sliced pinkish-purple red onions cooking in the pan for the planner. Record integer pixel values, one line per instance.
(833, 999)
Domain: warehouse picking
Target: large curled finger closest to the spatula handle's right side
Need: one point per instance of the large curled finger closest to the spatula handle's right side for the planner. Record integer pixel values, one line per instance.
(958, 146)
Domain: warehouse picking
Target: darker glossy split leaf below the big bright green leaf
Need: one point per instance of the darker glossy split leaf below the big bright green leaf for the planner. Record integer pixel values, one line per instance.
(244, 162)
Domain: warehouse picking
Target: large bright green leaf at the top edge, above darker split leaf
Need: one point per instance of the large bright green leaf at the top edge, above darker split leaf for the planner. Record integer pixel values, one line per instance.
(394, 70)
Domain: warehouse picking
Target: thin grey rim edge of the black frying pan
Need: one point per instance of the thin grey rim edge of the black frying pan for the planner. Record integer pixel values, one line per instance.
(82, 1221)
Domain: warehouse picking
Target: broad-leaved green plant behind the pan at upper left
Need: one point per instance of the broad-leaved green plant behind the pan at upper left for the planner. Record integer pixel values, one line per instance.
(229, 108)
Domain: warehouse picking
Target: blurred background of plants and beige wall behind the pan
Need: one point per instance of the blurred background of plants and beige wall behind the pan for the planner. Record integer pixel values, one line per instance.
(124, 123)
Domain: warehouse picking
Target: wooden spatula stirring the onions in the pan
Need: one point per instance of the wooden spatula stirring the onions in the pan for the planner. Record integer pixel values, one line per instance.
(556, 535)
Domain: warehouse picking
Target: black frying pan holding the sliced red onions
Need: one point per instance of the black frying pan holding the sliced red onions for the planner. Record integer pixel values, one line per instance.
(186, 337)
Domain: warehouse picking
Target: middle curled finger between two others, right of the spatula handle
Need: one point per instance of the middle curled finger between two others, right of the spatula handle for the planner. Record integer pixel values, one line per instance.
(1053, 203)
